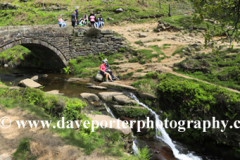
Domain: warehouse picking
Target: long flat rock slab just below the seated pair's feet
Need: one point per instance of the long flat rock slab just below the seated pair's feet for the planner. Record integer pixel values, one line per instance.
(119, 86)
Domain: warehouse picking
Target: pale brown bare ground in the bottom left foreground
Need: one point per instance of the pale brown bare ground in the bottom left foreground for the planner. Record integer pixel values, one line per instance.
(45, 144)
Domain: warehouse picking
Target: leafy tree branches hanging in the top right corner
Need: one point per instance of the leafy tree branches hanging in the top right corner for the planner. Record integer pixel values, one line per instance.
(225, 12)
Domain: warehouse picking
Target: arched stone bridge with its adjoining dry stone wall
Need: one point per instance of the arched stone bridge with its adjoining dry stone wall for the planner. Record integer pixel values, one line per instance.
(55, 46)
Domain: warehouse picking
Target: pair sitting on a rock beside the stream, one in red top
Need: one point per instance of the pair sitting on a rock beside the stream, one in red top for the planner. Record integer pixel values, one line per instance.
(105, 71)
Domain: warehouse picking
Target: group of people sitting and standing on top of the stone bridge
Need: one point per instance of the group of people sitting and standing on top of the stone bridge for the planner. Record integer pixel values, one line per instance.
(94, 21)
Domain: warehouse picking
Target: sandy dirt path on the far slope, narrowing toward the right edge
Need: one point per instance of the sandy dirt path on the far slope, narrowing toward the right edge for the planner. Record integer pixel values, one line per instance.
(175, 40)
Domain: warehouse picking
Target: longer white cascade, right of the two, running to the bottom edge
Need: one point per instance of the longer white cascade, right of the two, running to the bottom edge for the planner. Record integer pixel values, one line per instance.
(163, 134)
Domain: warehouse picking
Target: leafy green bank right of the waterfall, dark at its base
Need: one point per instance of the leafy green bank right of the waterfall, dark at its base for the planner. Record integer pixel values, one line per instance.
(184, 99)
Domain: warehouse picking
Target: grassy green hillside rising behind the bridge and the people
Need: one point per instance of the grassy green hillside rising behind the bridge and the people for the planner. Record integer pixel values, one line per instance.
(38, 12)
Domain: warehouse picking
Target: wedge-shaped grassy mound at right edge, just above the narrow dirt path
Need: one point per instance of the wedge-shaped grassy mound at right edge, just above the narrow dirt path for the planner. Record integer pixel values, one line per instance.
(221, 68)
